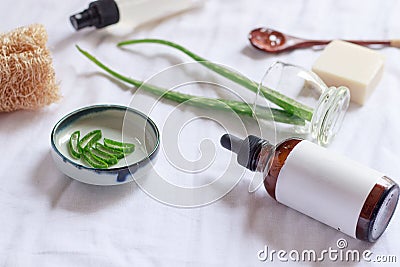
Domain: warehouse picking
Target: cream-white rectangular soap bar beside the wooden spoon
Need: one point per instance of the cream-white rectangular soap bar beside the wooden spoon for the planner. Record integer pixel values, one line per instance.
(354, 66)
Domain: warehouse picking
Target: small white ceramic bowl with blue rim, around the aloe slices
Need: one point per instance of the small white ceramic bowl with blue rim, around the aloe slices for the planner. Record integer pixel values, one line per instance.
(117, 123)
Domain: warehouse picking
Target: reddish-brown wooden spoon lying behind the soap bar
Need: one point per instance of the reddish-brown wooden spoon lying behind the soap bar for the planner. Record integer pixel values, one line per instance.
(272, 41)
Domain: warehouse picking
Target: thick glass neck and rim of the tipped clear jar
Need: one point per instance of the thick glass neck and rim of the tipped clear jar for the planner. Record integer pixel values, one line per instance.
(329, 114)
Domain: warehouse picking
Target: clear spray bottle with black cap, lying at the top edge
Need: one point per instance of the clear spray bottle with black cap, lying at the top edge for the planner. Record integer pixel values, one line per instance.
(128, 14)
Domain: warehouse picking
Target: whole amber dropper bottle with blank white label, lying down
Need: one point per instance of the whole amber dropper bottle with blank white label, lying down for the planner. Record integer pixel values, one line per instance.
(330, 188)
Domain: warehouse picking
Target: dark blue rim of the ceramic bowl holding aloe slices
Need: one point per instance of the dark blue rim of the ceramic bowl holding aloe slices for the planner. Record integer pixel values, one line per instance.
(106, 106)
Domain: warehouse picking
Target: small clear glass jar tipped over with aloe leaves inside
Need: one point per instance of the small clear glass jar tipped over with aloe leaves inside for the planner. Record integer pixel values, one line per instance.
(326, 106)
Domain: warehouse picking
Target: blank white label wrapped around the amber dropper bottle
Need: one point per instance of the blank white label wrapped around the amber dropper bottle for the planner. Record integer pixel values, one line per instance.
(325, 186)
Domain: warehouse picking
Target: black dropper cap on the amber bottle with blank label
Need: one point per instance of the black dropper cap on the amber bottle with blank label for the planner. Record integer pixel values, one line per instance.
(247, 150)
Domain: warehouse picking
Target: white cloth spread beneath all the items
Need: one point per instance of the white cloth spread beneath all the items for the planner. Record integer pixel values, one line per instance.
(48, 219)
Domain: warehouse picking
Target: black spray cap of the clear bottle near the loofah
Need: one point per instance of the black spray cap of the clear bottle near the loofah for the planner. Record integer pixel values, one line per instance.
(100, 14)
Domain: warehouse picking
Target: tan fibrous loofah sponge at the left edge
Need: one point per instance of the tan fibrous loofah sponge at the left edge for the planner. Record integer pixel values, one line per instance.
(27, 78)
